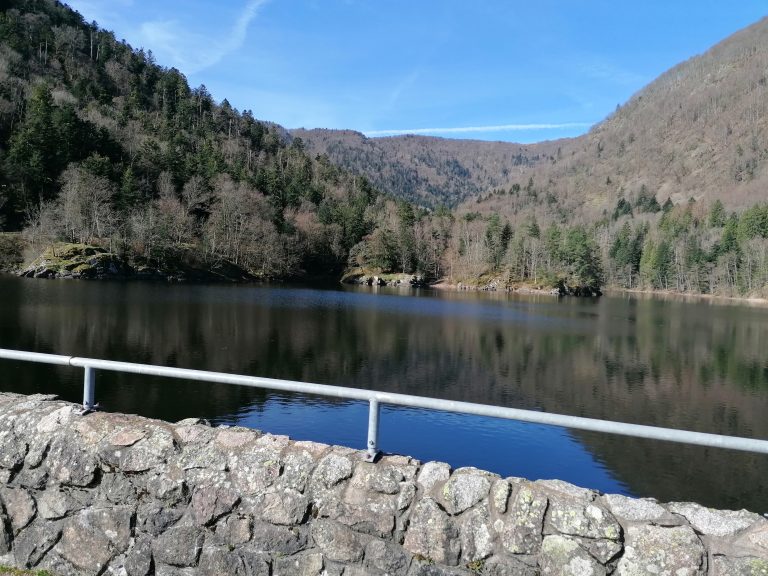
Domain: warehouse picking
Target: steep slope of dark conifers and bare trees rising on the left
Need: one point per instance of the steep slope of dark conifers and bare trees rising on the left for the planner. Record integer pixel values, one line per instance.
(99, 144)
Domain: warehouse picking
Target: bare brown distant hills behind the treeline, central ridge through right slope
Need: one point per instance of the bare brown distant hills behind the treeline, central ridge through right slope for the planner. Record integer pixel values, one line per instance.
(699, 131)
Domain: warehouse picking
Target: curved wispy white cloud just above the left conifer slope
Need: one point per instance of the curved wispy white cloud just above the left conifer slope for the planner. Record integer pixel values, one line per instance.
(193, 52)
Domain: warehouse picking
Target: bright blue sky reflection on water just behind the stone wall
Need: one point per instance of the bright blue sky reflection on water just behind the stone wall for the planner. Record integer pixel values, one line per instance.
(505, 447)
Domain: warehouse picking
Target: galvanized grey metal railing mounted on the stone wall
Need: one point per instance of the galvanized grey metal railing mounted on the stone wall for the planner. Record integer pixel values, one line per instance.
(376, 399)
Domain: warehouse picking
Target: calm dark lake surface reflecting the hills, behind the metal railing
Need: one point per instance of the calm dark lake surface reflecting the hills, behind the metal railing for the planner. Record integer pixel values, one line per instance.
(697, 366)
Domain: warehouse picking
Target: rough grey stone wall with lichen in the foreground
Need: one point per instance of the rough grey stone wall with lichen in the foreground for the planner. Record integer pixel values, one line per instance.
(115, 494)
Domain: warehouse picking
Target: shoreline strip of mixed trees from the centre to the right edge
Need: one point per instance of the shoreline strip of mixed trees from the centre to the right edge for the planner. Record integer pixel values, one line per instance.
(691, 247)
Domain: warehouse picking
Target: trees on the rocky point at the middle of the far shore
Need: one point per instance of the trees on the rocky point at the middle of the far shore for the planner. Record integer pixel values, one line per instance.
(476, 250)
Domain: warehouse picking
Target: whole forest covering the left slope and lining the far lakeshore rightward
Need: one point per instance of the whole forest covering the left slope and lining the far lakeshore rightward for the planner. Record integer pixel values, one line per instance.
(101, 145)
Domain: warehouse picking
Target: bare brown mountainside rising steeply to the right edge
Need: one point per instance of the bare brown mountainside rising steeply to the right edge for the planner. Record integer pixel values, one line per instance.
(699, 131)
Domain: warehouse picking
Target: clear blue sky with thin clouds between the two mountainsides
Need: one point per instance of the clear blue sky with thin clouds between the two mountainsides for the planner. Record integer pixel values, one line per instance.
(485, 69)
